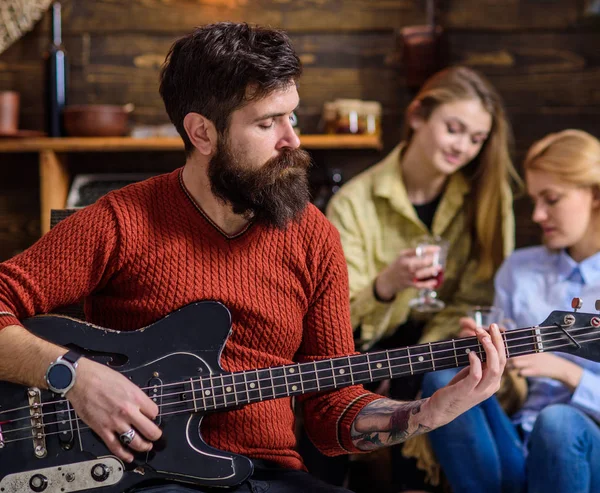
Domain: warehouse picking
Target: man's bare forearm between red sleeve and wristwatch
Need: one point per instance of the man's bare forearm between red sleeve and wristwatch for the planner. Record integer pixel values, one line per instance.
(24, 358)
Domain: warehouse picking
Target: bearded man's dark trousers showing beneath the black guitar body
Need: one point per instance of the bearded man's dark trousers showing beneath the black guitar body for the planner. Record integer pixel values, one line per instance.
(264, 480)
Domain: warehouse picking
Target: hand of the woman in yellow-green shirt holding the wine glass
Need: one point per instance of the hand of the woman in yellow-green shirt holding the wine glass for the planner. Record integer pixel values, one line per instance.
(408, 271)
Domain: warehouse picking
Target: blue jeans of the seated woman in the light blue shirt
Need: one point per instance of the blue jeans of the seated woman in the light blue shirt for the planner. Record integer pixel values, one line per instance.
(481, 450)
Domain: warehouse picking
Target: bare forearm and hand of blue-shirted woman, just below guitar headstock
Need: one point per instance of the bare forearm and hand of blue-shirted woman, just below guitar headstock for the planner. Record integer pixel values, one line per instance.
(550, 366)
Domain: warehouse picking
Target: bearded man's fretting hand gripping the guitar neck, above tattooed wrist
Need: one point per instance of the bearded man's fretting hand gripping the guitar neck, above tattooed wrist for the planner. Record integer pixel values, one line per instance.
(472, 384)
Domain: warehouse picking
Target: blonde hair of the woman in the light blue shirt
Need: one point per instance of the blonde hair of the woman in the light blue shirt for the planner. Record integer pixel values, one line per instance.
(573, 156)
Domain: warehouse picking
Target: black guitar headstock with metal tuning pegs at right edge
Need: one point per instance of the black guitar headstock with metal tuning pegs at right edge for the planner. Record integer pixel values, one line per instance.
(573, 332)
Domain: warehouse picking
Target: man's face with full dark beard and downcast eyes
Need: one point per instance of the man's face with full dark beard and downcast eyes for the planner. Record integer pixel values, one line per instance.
(258, 167)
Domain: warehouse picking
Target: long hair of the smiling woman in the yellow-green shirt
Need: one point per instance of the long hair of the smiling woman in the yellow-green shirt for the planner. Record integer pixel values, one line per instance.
(490, 171)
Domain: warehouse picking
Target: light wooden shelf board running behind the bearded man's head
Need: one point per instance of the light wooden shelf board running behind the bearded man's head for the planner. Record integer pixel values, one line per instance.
(125, 144)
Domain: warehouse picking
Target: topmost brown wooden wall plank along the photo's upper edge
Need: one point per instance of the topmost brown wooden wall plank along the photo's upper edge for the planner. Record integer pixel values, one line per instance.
(160, 16)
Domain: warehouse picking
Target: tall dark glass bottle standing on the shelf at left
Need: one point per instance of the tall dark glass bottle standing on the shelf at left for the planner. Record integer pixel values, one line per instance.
(56, 77)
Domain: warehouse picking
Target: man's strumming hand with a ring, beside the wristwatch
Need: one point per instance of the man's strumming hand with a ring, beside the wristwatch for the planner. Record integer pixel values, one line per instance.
(110, 405)
